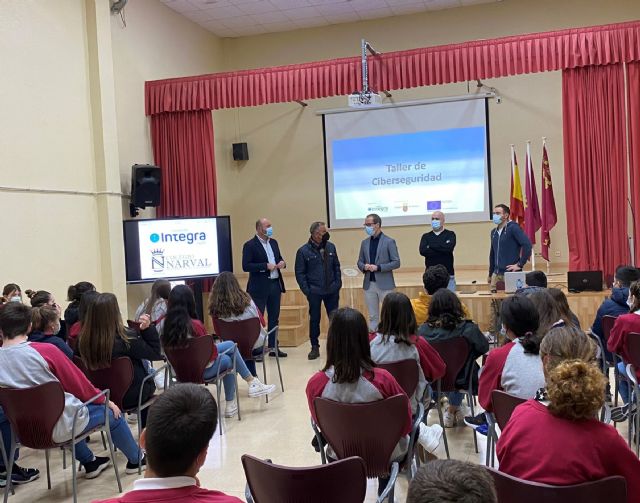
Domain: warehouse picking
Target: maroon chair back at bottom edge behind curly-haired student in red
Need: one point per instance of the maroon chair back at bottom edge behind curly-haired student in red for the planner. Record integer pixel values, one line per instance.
(510, 489)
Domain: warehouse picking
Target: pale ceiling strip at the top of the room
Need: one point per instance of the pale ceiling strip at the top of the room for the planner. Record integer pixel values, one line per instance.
(239, 18)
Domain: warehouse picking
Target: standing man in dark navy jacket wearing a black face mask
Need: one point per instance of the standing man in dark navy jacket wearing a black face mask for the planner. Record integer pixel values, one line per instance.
(318, 275)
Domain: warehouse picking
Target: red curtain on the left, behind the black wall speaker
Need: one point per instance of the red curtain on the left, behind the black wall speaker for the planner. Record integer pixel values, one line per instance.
(183, 148)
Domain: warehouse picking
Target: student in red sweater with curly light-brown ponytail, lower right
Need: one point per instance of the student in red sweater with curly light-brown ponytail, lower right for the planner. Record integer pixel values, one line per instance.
(558, 440)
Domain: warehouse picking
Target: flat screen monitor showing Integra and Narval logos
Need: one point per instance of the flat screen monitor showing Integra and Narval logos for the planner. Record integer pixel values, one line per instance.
(177, 248)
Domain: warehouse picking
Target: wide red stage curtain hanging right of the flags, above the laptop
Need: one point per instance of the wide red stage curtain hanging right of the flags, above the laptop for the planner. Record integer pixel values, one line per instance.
(595, 167)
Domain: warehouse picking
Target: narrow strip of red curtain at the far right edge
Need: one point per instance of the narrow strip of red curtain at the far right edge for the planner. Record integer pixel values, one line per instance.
(633, 85)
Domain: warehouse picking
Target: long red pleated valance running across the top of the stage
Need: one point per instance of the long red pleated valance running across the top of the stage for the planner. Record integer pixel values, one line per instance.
(482, 59)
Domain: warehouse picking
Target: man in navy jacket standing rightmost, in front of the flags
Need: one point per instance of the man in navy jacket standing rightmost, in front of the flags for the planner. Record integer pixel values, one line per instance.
(510, 246)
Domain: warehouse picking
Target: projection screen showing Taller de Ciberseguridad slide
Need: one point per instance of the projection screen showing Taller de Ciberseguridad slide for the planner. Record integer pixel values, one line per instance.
(405, 162)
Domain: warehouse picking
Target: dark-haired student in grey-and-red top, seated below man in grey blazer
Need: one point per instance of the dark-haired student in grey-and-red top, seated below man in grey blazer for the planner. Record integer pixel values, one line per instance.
(396, 340)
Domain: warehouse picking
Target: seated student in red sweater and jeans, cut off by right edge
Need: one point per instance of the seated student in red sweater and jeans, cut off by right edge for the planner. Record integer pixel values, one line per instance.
(625, 325)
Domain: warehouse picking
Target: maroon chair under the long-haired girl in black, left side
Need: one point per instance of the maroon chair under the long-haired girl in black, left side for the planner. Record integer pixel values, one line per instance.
(118, 379)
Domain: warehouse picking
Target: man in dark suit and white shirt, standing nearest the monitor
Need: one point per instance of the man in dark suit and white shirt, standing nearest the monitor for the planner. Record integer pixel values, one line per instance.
(262, 260)
